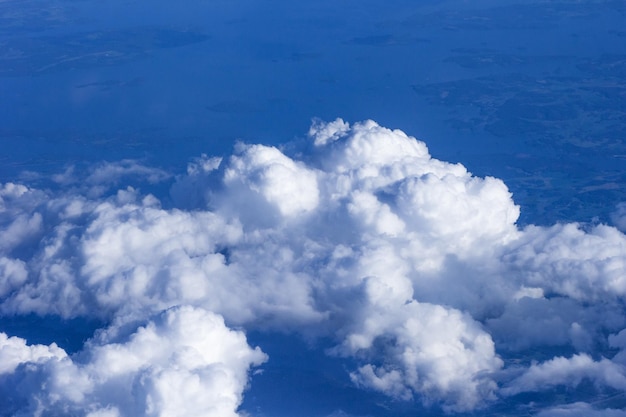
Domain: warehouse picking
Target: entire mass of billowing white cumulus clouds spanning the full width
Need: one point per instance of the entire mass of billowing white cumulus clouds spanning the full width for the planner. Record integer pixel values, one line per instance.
(413, 266)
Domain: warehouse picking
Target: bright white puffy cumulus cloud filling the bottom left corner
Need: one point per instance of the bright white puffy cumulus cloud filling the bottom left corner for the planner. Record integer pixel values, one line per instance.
(185, 362)
